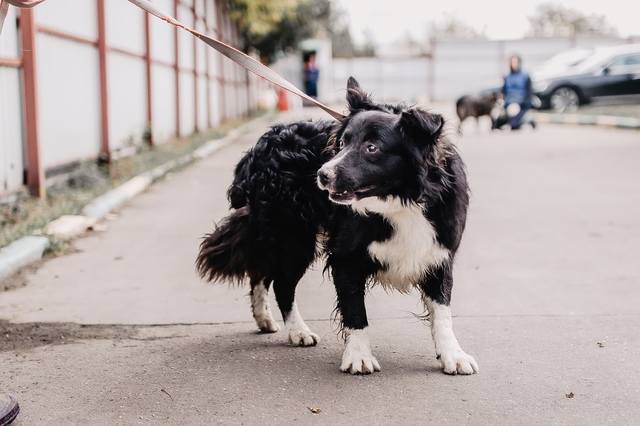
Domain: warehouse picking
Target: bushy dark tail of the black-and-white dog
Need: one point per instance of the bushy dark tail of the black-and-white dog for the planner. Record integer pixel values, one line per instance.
(228, 253)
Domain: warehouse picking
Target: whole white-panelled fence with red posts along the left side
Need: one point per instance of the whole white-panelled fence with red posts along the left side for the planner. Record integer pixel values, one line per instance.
(86, 79)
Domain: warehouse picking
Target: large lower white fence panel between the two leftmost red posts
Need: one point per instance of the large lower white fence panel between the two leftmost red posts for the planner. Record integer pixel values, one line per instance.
(68, 100)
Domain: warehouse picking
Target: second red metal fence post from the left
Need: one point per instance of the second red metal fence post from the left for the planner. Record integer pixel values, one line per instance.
(105, 152)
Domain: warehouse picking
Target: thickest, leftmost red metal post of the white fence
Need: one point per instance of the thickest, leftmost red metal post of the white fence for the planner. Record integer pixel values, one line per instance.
(35, 171)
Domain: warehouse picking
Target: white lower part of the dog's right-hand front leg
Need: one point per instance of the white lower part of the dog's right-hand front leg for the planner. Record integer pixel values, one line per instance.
(452, 358)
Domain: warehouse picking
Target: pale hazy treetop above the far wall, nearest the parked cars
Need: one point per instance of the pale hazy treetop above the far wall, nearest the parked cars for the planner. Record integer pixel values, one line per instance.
(551, 20)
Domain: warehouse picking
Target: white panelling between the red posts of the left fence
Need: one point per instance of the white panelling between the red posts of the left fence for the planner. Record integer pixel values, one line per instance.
(68, 82)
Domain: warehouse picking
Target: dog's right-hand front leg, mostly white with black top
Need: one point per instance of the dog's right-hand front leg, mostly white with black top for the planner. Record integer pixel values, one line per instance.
(436, 290)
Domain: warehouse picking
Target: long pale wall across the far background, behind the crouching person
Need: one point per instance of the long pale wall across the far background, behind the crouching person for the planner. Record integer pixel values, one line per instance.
(452, 68)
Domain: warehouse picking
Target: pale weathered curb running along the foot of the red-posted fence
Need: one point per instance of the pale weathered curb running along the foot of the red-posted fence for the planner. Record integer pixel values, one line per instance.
(29, 249)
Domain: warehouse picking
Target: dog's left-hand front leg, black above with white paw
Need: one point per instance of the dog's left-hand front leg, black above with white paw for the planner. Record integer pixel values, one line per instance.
(350, 288)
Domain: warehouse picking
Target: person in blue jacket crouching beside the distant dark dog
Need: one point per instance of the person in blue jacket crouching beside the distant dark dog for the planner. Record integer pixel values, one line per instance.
(517, 93)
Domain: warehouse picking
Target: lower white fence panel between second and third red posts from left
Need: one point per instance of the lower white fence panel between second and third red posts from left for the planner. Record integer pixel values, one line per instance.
(127, 100)
